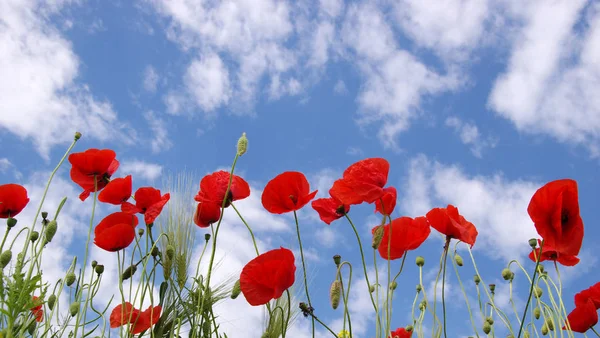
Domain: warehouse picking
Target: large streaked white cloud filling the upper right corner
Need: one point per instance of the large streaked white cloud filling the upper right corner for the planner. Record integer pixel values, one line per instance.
(547, 87)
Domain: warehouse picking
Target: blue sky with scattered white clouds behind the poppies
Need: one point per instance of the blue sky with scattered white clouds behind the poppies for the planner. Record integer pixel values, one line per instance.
(473, 102)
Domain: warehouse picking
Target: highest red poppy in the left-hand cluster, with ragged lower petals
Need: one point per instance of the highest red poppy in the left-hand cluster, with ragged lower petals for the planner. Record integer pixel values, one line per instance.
(90, 164)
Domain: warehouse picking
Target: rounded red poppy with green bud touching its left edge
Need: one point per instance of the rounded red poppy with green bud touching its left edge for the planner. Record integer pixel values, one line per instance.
(407, 234)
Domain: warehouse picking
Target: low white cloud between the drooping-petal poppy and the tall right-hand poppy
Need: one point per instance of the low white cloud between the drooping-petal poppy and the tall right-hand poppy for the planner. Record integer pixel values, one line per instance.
(495, 205)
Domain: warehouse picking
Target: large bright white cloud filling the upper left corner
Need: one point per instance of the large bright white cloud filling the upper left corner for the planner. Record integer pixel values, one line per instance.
(39, 89)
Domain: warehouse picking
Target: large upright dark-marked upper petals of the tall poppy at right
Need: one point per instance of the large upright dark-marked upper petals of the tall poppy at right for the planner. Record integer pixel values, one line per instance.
(554, 209)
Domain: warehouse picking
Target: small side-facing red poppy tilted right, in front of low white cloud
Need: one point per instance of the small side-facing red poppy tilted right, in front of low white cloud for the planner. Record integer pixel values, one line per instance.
(450, 223)
